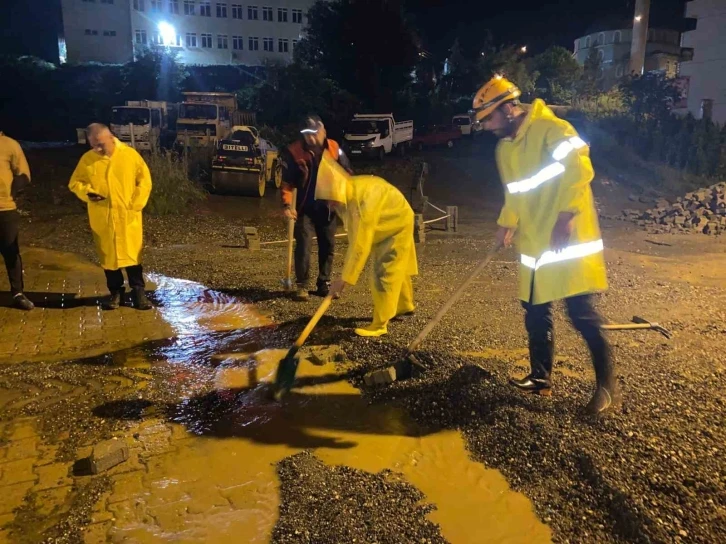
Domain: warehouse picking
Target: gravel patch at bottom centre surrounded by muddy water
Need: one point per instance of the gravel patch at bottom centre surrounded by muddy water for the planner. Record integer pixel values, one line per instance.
(325, 504)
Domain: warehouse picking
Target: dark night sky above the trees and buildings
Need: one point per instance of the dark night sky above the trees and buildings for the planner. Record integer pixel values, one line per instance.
(31, 27)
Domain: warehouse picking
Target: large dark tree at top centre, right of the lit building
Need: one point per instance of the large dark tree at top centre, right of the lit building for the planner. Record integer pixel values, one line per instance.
(366, 46)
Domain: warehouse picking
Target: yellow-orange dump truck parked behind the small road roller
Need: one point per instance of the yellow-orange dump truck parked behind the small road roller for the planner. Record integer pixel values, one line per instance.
(205, 118)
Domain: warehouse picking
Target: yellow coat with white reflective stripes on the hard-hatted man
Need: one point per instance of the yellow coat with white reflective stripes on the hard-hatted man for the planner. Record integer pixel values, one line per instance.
(546, 170)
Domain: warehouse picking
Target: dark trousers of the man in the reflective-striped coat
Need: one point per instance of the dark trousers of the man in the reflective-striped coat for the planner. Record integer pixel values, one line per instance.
(585, 318)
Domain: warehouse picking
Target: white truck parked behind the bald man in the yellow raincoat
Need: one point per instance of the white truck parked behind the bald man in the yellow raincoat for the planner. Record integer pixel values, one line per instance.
(140, 123)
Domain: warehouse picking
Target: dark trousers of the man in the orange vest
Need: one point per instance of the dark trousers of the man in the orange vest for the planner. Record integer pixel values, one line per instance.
(320, 223)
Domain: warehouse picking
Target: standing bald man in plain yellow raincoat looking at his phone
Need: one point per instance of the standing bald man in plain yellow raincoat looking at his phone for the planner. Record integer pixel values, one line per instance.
(115, 182)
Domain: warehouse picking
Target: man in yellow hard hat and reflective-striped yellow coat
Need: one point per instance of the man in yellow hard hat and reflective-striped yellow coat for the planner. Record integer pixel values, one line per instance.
(546, 171)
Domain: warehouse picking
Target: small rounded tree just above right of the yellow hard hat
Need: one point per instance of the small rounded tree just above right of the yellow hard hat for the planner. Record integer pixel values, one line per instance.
(557, 75)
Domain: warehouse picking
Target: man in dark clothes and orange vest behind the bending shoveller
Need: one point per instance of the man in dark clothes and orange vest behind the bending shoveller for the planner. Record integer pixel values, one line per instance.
(300, 163)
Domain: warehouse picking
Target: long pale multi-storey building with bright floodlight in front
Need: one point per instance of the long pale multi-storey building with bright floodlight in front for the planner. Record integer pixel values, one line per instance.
(200, 31)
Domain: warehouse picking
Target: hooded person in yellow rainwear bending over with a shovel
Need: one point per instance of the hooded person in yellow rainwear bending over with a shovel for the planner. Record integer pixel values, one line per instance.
(379, 221)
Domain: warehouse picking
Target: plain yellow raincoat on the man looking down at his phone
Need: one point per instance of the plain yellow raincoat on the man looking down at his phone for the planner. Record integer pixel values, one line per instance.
(125, 182)
